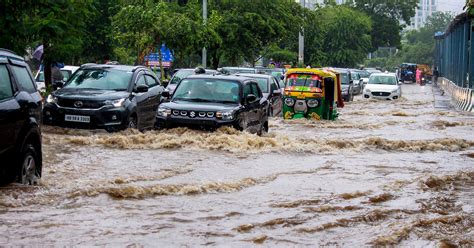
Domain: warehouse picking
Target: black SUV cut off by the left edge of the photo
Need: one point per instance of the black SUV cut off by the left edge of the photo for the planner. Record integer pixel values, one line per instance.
(20, 113)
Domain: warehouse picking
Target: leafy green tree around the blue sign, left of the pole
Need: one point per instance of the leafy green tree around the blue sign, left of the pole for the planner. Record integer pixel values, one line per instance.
(147, 24)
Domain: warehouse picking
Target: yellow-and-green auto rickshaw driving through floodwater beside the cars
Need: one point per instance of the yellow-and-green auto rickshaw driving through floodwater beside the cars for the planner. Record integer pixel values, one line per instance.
(312, 94)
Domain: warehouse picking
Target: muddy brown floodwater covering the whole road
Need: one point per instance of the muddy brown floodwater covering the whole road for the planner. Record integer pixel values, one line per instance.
(386, 173)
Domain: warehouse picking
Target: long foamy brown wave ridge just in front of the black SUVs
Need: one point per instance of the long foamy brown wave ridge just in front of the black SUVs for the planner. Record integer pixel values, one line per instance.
(231, 140)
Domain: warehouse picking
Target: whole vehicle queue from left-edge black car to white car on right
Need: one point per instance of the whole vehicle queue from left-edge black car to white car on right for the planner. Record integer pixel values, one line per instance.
(116, 97)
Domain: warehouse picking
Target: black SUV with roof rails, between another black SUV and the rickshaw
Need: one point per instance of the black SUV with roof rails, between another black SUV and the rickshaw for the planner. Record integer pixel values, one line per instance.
(214, 101)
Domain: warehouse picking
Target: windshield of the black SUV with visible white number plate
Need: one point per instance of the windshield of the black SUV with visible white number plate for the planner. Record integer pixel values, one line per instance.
(100, 79)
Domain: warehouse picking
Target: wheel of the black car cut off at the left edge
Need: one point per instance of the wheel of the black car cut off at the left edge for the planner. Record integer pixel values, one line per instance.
(30, 166)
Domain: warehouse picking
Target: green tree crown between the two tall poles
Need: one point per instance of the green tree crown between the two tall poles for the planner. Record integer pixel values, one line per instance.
(251, 28)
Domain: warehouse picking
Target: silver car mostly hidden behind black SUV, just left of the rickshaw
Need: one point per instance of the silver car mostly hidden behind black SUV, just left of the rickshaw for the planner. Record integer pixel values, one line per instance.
(271, 91)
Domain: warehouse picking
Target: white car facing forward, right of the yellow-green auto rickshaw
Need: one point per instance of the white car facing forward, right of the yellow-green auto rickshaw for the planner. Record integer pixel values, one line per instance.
(383, 86)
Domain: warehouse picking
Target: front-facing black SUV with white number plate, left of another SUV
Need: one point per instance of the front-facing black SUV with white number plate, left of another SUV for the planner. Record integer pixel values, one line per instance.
(113, 97)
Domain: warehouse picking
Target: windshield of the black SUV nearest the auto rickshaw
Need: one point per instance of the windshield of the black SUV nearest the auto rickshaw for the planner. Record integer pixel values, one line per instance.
(207, 90)
